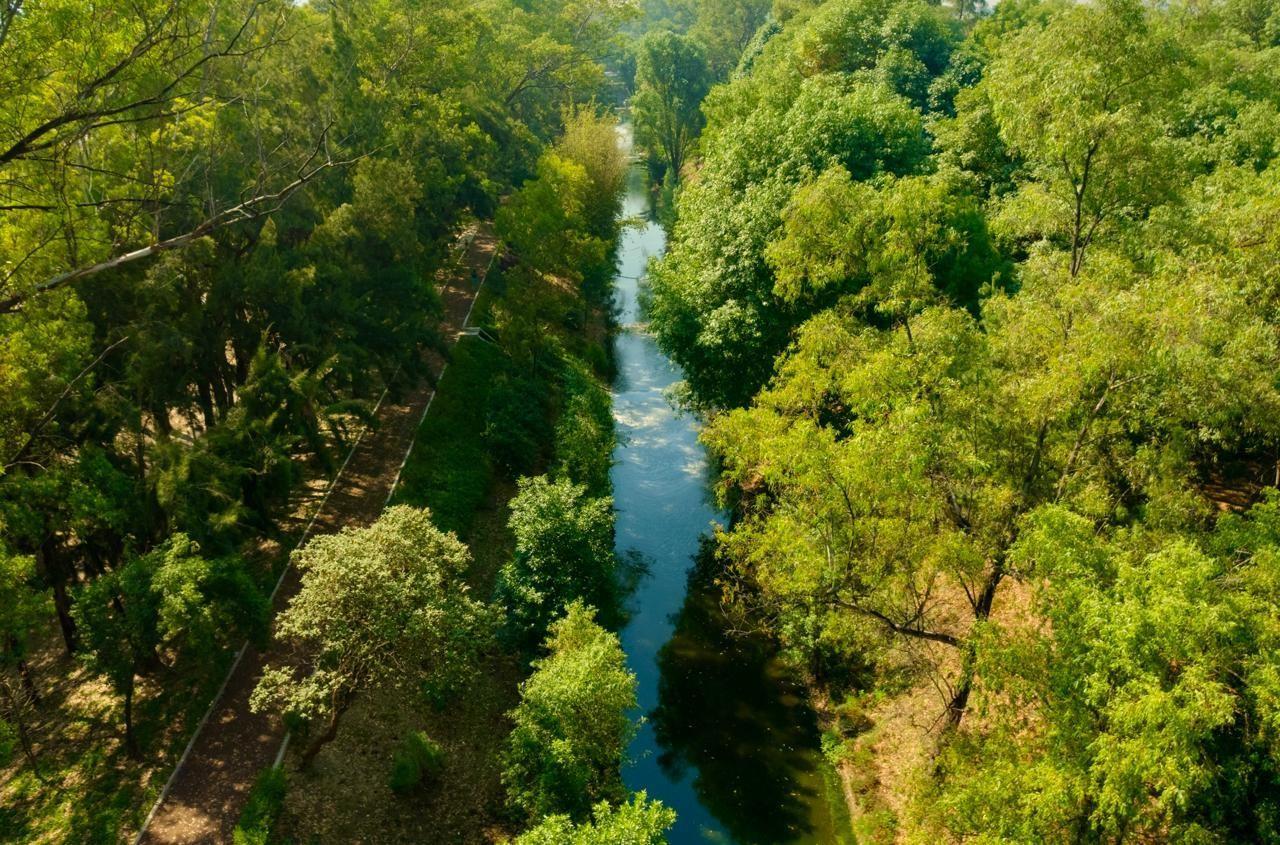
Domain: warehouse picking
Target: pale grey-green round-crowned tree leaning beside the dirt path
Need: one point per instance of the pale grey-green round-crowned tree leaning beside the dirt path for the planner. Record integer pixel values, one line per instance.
(380, 608)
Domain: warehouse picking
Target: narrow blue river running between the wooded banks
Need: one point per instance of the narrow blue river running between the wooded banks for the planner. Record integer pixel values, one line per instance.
(729, 742)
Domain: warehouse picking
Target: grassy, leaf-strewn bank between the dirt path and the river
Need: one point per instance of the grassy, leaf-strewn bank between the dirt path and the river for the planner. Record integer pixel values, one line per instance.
(504, 409)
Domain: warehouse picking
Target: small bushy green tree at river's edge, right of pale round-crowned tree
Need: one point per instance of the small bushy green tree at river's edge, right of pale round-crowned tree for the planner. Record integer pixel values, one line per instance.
(564, 552)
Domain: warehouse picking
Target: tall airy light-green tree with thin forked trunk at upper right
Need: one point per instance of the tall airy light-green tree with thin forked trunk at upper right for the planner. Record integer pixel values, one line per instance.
(1085, 102)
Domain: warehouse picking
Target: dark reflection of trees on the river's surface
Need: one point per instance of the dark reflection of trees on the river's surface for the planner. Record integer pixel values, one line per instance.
(728, 710)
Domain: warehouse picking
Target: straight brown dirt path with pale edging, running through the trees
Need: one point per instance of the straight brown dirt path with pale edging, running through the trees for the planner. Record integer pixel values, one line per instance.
(209, 788)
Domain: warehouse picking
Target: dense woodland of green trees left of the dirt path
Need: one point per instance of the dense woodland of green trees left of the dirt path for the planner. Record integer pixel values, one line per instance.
(207, 285)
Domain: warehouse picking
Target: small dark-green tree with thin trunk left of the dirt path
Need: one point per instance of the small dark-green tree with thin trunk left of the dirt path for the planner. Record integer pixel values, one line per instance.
(167, 605)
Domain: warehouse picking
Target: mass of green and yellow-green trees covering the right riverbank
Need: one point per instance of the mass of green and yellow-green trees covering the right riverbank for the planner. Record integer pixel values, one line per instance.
(996, 389)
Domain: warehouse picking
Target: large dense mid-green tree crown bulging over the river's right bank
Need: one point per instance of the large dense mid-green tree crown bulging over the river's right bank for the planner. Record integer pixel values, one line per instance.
(819, 98)
